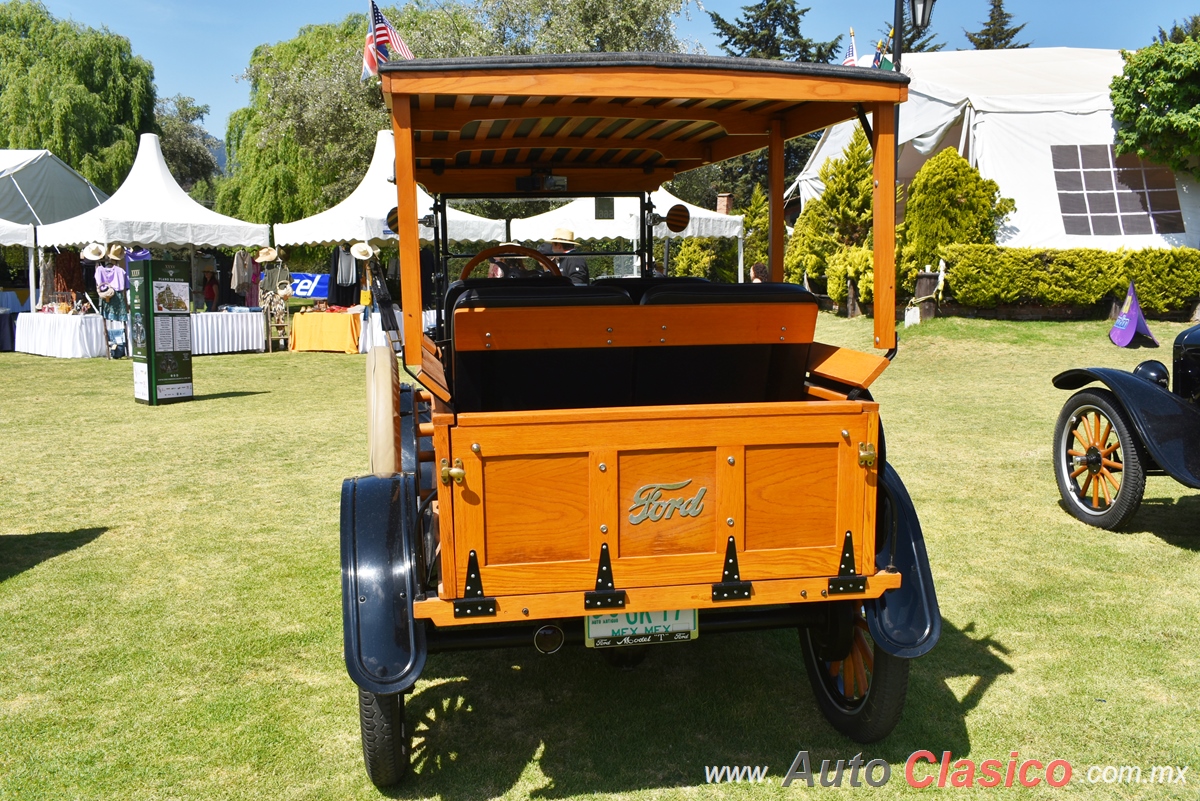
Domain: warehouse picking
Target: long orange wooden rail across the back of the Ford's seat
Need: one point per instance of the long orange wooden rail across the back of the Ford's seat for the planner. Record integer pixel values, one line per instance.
(553, 328)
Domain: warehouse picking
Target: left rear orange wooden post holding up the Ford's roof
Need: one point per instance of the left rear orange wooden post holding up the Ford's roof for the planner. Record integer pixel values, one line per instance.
(409, 234)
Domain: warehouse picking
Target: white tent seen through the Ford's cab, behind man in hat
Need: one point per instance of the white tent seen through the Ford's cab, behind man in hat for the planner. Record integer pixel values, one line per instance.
(581, 216)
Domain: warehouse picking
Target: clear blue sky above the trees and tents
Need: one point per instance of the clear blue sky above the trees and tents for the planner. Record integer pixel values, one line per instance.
(200, 49)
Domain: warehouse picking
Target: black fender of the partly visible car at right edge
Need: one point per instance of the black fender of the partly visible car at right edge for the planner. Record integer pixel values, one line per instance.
(1168, 425)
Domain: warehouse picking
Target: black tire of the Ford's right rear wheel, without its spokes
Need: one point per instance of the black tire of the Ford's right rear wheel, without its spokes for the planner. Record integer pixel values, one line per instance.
(869, 719)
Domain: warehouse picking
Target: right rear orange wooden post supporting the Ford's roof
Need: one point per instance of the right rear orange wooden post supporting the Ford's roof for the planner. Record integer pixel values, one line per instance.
(885, 214)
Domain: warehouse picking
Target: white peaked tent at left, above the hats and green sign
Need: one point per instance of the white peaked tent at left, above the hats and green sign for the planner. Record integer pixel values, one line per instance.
(152, 210)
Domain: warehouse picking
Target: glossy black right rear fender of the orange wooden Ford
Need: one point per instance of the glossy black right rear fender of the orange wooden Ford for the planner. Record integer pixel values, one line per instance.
(905, 622)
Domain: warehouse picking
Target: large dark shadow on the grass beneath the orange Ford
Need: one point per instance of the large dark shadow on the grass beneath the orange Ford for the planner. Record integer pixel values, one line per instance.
(571, 725)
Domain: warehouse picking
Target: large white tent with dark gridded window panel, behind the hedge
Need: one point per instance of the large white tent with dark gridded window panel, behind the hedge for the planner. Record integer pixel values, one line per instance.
(1039, 122)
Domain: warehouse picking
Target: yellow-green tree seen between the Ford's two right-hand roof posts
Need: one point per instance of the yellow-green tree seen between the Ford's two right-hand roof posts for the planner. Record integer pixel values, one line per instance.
(842, 218)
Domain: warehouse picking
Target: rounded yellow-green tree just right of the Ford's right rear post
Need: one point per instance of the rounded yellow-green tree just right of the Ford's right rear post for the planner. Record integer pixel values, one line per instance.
(950, 203)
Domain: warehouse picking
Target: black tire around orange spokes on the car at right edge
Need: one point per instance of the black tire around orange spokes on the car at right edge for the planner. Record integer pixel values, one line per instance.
(1132, 457)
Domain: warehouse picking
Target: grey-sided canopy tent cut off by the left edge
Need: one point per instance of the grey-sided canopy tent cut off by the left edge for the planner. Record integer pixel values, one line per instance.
(39, 188)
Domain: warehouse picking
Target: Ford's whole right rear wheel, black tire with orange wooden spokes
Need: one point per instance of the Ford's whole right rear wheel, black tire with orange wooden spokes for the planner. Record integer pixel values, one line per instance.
(863, 695)
